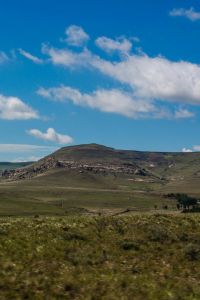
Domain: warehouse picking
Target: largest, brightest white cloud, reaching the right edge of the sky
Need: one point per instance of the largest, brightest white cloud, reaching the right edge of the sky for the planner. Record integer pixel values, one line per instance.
(156, 78)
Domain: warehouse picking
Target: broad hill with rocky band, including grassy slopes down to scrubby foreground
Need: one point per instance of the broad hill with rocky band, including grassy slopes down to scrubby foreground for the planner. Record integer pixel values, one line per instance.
(98, 178)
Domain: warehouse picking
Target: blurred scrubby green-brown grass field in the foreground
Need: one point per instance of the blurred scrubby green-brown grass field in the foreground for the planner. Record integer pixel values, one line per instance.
(81, 257)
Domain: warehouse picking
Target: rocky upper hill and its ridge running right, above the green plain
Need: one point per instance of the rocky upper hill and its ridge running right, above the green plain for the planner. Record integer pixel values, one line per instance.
(99, 159)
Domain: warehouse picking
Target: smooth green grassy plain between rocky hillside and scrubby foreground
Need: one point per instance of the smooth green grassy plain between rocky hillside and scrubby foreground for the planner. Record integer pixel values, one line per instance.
(41, 196)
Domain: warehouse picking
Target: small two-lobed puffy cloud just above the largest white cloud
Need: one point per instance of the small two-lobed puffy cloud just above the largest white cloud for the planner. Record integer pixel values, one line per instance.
(122, 45)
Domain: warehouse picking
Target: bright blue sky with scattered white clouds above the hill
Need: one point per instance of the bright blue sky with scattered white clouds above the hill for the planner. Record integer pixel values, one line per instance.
(121, 73)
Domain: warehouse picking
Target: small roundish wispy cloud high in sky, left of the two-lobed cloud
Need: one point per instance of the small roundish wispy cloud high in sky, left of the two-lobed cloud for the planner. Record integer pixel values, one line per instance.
(76, 36)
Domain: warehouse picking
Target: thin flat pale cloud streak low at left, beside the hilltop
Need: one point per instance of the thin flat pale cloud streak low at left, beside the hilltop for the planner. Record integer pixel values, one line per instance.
(17, 148)
